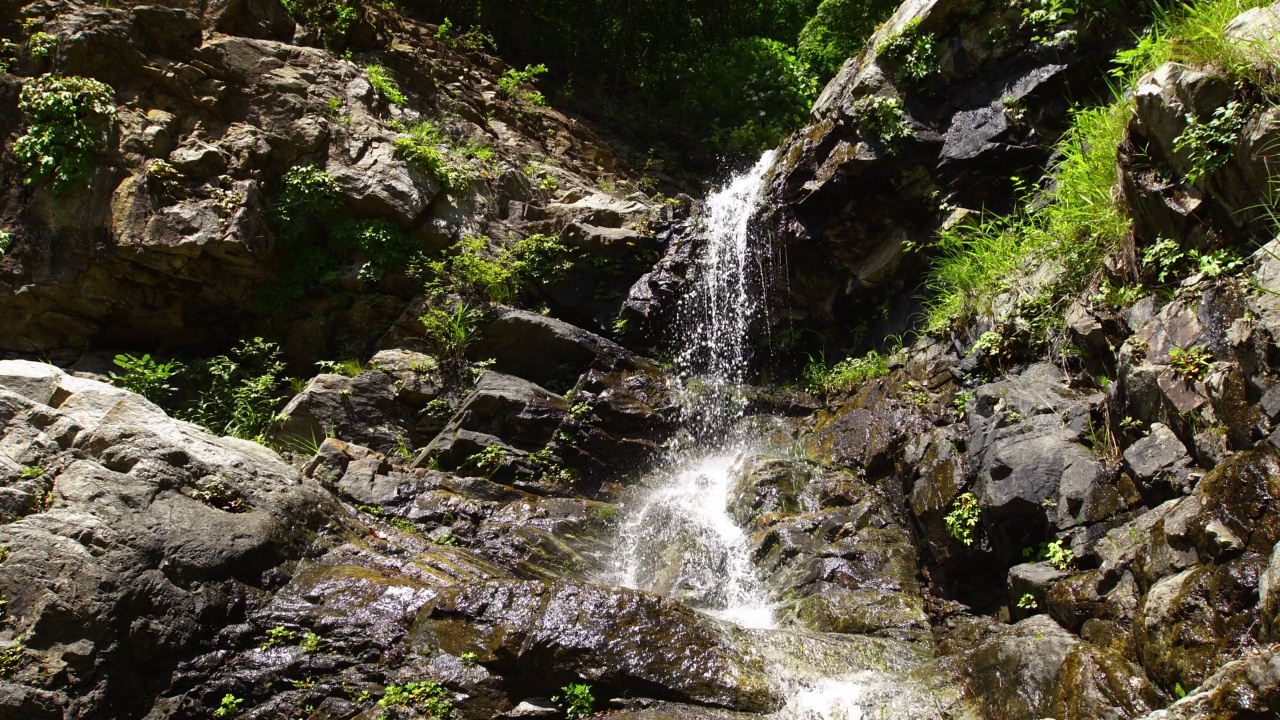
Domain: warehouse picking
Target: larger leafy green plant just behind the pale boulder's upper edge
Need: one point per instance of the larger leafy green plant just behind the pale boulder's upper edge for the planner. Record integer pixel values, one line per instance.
(241, 391)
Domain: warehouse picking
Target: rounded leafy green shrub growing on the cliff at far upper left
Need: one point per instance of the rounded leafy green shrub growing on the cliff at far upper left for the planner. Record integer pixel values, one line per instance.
(68, 120)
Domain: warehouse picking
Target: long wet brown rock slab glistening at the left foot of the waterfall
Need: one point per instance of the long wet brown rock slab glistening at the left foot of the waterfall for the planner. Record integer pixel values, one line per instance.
(542, 636)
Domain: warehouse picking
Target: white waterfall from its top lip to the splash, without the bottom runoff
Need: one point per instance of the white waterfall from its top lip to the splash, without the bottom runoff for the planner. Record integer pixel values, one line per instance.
(683, 541)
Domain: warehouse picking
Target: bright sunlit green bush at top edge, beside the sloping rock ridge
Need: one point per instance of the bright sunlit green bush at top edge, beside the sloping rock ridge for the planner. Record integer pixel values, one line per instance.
(839, 30)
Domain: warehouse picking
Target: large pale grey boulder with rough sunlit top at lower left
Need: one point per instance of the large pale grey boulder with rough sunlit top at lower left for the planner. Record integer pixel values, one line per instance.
(130, 539)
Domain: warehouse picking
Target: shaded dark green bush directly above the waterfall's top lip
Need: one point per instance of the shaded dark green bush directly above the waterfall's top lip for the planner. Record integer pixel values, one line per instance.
(772, 94)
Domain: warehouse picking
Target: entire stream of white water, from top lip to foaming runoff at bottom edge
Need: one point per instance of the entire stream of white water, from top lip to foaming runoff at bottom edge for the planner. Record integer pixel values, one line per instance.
(680, 539)
